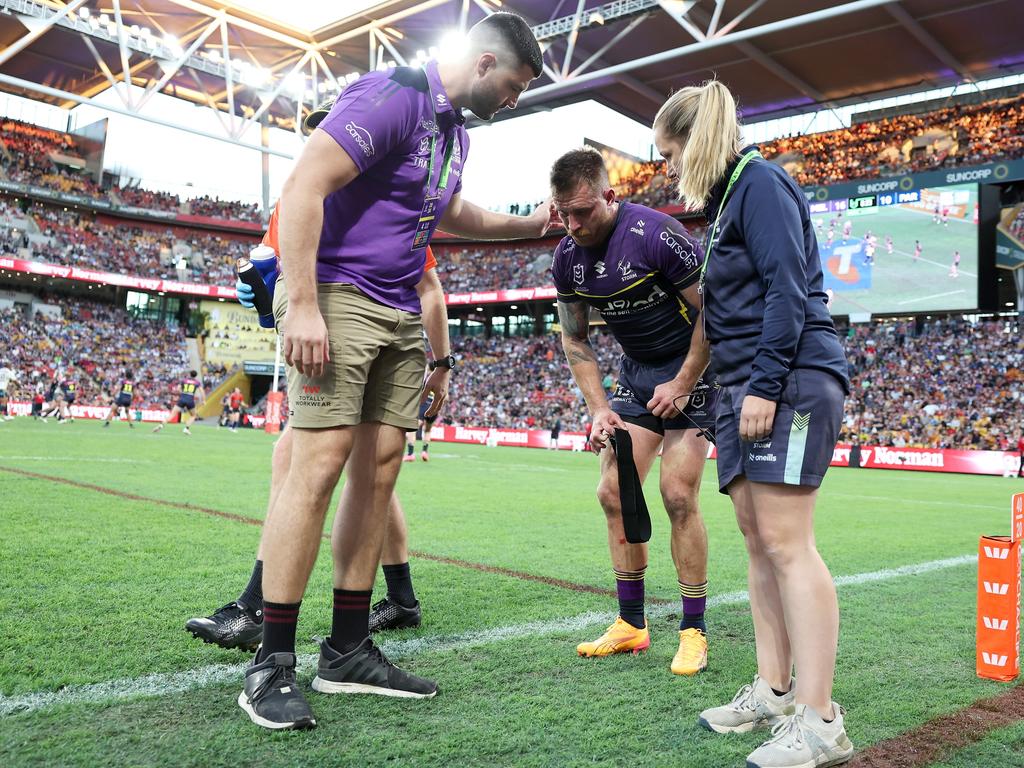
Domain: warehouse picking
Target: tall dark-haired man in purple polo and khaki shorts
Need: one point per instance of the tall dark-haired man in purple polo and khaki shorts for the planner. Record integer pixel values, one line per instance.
(380, 174)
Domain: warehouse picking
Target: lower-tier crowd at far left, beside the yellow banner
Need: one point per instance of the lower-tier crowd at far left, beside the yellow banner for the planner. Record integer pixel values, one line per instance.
(94, 345)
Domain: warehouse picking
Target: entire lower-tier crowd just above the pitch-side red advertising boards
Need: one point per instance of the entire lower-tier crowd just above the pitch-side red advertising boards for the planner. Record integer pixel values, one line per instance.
(944, 383)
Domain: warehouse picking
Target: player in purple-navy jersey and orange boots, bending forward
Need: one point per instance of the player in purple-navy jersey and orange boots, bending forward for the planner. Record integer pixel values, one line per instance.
(639, 270)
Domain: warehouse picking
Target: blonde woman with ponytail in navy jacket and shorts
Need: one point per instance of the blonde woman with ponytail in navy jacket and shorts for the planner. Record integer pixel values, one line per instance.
(784, 375)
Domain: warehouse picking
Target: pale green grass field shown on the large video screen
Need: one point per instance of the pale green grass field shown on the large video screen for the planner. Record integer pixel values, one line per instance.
(895, 283)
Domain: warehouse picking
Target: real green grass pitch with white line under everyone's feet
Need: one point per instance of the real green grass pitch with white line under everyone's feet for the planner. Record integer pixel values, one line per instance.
(96, 668)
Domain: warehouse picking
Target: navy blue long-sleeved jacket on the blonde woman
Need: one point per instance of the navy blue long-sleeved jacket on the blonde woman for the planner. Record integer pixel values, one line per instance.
(764, 304)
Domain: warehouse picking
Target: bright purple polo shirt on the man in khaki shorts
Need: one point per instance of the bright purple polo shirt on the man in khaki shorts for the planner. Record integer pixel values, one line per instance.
(385, 121)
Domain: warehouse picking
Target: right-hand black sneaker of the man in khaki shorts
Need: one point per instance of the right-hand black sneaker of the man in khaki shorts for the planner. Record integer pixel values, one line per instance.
(366, 670)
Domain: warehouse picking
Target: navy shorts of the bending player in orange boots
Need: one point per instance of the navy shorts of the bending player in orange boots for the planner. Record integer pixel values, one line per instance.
(636, 387)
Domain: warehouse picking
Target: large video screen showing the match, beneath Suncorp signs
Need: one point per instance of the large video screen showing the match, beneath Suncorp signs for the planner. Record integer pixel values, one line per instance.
(898, 251)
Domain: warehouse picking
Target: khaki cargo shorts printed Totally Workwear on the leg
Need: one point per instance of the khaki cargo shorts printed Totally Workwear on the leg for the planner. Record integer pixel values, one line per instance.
(377, 363)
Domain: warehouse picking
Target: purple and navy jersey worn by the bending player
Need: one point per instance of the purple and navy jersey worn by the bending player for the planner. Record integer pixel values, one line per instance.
(634, 281)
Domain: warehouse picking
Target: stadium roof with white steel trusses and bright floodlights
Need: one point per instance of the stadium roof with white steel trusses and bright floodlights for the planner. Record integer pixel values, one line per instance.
(780, 57)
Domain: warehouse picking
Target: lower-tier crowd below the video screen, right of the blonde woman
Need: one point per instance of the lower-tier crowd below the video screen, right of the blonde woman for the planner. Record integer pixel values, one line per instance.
(950, 385)
